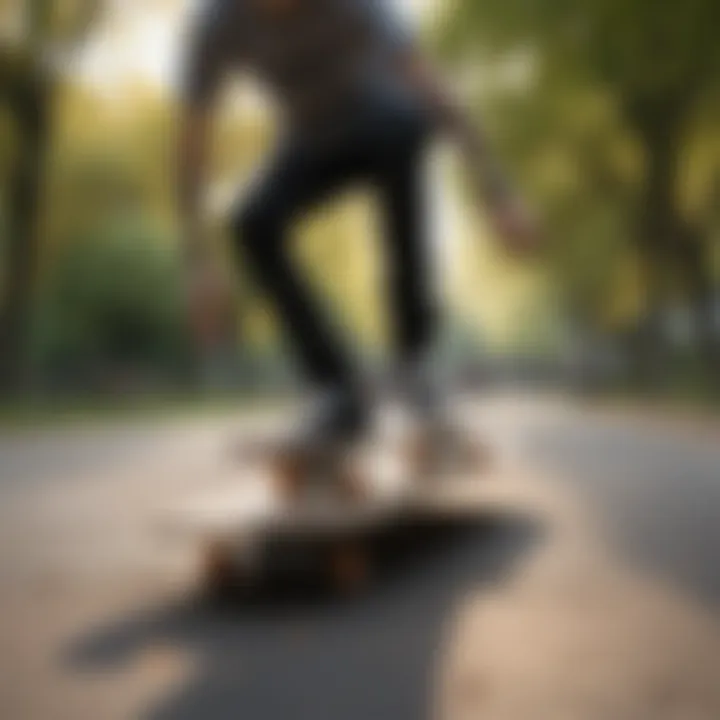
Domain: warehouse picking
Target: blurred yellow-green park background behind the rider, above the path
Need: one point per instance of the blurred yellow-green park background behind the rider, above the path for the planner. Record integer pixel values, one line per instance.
(606, 111)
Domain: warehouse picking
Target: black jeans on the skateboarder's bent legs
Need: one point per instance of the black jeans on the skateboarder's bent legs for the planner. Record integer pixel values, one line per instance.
(380, 143)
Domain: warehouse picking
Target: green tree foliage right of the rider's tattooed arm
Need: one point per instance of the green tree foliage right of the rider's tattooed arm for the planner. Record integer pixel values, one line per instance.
(610, 109)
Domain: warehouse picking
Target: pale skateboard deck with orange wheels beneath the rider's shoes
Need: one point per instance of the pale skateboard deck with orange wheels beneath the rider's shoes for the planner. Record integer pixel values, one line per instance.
(248, 535)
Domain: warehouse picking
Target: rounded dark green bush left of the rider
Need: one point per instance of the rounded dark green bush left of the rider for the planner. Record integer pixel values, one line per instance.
(112, 300)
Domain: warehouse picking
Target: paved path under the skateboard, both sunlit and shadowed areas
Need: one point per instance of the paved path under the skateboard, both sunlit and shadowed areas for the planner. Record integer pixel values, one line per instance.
(97, 622)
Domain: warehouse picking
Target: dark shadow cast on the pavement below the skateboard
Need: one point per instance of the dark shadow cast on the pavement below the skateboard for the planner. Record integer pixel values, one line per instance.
(310, 656)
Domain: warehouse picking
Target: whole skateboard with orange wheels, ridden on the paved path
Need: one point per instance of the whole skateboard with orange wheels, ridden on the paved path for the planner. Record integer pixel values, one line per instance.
(308, 517)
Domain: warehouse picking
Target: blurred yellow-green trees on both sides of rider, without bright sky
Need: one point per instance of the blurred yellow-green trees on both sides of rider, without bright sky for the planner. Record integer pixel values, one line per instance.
(607, 109)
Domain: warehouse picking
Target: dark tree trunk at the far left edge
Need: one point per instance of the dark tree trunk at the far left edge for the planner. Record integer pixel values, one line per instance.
(30, 111)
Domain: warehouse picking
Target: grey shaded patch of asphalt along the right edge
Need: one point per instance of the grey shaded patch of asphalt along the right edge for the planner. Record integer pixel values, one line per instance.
(654, 485)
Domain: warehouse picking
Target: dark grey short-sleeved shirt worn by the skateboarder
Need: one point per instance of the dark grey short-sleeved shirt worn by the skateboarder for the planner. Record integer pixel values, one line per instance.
(312, 55)
